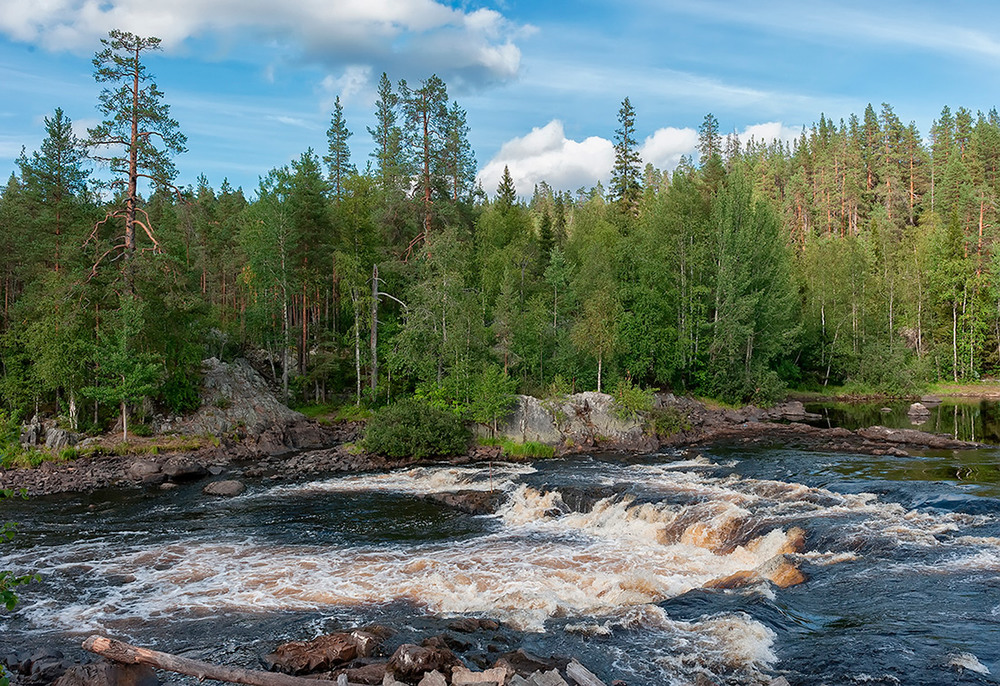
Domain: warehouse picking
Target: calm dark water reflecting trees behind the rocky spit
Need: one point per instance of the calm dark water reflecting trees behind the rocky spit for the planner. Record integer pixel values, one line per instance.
(967, 419)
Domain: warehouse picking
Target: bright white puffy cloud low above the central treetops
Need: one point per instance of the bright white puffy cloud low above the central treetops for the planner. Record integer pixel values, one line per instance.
(547, 155)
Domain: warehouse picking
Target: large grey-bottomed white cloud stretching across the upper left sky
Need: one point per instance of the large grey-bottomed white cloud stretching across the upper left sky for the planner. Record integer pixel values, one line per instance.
(410, 37)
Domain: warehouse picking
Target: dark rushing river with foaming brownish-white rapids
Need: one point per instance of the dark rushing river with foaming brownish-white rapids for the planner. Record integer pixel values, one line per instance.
(604, 558)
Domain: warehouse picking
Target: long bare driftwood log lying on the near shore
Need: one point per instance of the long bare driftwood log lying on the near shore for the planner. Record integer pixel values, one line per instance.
(123, 652)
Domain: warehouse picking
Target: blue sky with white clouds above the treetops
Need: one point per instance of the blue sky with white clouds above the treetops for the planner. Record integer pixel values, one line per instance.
(252, 82)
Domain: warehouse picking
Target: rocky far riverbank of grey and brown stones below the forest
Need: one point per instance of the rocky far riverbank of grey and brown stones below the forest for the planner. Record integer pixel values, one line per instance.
(305, 447)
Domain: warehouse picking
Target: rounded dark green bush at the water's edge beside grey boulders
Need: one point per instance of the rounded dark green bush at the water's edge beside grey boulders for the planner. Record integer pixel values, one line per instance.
(413, 428)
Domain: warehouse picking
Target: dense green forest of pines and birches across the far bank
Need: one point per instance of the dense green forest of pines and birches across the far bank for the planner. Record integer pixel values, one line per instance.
(862, 255)
